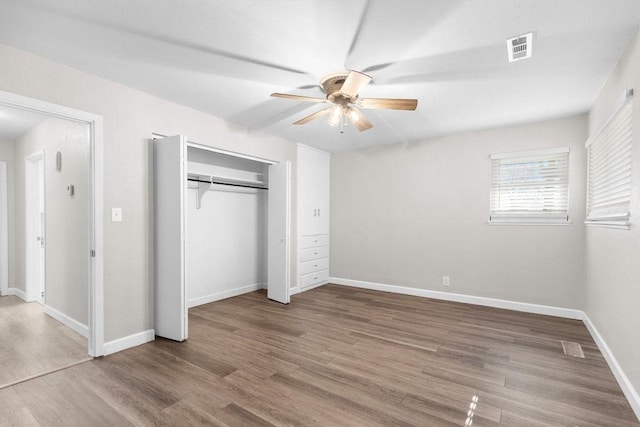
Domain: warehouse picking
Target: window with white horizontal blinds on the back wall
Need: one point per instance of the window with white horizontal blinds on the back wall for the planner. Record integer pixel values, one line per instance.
(530, 187)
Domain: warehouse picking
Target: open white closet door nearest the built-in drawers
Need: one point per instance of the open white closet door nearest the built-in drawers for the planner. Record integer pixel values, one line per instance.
(278, 232)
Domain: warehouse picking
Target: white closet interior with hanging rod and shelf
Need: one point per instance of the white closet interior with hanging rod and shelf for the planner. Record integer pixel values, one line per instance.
(226, 226)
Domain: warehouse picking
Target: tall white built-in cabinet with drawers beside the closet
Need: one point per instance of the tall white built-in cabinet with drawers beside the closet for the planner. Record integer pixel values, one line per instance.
(313, 169)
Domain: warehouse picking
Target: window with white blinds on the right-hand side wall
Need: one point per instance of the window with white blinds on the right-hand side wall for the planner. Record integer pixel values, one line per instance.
(609, 170)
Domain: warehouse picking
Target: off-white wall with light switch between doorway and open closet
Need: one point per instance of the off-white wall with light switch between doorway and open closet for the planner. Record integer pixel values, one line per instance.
(130, 117)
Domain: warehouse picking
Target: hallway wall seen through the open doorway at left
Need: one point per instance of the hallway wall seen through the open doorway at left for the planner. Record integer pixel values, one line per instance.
(67, 218)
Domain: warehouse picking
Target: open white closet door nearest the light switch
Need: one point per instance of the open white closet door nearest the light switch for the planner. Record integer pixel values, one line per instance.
(169, 186)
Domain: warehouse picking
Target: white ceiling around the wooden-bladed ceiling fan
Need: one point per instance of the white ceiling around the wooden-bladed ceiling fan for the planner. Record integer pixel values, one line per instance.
(226, 57)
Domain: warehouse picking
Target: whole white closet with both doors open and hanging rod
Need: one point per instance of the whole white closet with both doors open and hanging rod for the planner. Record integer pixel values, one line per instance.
(222, 223)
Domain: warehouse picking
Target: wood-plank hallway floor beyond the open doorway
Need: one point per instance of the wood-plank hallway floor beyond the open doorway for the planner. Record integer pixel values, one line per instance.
(32, 343)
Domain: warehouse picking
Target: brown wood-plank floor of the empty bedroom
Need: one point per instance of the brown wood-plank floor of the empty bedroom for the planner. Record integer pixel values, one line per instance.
(338, 356)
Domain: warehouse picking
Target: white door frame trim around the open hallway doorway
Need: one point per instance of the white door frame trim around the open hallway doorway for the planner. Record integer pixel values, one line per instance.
(95, 246)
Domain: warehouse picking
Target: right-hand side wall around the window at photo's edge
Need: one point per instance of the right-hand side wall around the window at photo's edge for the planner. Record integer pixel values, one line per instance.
(612, 256)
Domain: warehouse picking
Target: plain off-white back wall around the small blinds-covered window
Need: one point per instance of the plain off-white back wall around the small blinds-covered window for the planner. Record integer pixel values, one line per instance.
(408, 214)
